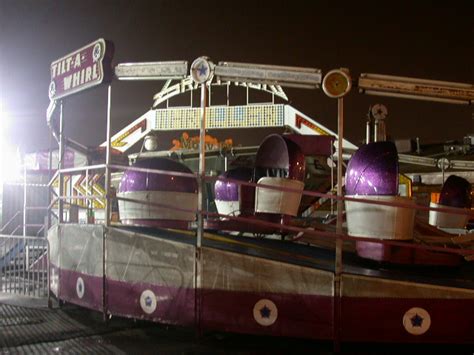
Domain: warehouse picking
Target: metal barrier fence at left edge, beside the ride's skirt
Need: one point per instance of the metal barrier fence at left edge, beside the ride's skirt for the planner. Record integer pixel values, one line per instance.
(24, 265)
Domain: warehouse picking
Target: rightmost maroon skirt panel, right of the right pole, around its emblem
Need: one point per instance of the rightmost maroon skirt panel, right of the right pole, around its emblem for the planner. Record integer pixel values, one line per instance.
(381, 320)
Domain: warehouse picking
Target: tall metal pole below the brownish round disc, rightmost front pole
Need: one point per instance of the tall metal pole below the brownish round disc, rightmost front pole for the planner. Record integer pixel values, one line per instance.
(340, 204)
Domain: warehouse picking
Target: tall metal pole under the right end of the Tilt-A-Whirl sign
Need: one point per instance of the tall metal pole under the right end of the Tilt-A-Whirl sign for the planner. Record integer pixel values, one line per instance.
(107, 207)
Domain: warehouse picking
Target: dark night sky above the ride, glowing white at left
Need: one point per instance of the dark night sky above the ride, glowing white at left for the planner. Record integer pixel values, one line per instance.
(432, 40)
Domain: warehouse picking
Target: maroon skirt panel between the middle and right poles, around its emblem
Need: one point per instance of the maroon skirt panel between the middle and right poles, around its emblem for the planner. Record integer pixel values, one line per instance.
(304, 316)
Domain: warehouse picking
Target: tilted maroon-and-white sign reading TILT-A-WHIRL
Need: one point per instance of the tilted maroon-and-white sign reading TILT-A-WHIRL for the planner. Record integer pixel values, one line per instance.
(85, 68)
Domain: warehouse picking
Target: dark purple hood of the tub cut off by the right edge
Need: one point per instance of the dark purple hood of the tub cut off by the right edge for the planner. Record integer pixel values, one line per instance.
(456, 192)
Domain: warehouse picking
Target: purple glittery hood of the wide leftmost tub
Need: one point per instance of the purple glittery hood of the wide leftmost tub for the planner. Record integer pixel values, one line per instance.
(149, 181)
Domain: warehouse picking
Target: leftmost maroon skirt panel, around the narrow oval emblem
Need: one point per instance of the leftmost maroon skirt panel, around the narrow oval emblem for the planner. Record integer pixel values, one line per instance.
(92, 297)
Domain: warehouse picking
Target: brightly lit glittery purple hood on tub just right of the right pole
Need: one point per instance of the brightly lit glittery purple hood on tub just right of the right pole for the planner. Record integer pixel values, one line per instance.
(373, 170)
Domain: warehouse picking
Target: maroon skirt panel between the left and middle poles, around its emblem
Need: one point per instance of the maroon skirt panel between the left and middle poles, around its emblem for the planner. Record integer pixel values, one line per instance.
(174, 306)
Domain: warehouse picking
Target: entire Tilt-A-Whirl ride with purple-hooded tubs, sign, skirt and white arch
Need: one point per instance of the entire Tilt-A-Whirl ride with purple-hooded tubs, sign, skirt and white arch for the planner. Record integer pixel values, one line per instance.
(172, 260)
